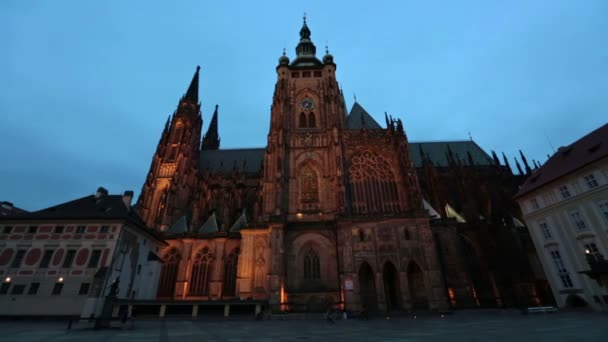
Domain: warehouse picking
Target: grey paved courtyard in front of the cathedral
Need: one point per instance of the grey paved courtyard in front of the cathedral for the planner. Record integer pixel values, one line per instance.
(462, 326)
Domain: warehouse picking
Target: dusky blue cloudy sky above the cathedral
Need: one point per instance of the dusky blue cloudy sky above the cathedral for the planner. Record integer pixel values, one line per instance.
(86, 86)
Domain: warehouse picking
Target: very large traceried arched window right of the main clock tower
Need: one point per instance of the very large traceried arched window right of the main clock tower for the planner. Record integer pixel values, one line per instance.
(373, 185)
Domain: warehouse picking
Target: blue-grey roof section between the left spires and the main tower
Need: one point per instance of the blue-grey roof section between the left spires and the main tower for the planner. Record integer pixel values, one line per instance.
(247, 160)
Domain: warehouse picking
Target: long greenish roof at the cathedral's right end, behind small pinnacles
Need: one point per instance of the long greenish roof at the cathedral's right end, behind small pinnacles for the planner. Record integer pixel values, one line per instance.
(437, 152)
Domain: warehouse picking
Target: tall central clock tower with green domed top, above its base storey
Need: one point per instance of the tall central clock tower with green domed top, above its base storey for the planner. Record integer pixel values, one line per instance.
(303, 175)
